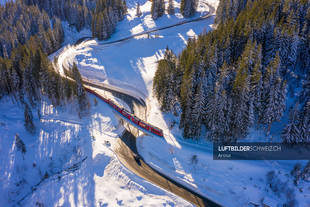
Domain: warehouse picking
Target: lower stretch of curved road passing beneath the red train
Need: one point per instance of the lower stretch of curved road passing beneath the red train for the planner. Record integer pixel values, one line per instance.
(128, 155)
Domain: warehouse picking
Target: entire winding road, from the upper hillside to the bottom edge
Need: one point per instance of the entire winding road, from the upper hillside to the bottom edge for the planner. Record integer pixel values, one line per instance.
(127, 150)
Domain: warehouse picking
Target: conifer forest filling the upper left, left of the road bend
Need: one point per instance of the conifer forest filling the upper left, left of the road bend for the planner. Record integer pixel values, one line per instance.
(30, 31)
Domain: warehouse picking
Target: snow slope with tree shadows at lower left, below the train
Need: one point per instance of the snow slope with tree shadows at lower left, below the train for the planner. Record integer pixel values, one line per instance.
(69, 161)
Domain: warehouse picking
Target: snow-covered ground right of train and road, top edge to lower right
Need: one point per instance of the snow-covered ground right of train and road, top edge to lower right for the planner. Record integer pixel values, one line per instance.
(132, 65)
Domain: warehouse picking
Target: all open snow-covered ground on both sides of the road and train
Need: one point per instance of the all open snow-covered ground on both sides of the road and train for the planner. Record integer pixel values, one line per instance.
(64, 140)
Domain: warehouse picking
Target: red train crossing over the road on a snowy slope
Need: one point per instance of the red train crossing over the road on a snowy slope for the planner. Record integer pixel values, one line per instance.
(129, 116)
